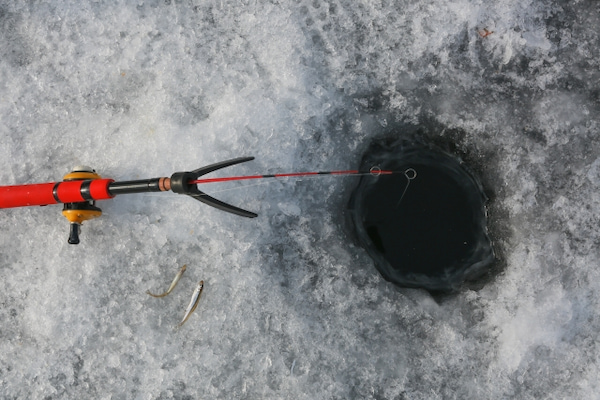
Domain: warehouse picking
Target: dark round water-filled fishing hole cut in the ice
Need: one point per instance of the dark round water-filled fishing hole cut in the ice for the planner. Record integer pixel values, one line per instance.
(425, 225)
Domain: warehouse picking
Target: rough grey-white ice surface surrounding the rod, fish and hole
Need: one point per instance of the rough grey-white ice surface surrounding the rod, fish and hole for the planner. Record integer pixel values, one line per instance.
(291, 307)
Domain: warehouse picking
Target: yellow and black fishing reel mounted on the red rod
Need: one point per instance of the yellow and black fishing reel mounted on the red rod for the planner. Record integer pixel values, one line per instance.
(78, 212)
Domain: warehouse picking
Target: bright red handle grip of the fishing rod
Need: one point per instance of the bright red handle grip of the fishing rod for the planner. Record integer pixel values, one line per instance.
(42, 194)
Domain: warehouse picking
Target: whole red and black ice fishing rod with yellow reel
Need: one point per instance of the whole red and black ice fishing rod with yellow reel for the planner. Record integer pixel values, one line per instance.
(81, 188)
